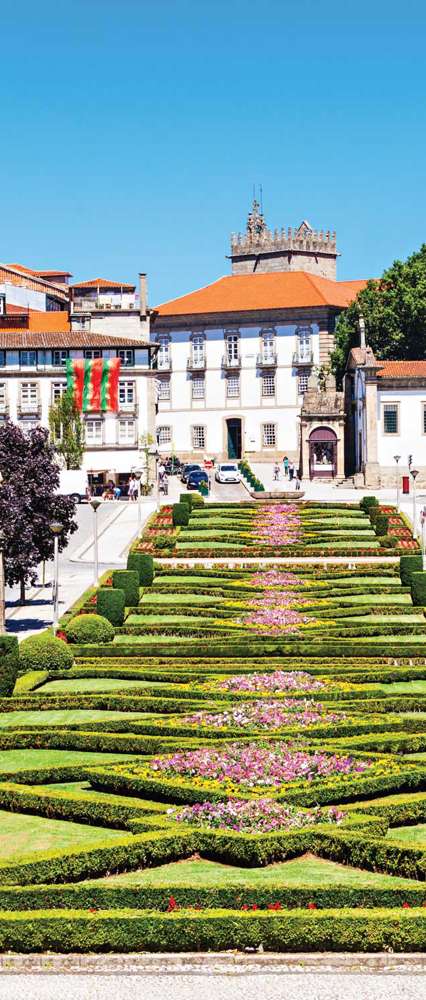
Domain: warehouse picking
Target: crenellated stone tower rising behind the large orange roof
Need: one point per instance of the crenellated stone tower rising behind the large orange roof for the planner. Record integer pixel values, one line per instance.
(260, 249)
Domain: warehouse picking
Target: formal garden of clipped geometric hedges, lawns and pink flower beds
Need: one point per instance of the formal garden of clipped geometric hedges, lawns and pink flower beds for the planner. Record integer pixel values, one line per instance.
(216, 756)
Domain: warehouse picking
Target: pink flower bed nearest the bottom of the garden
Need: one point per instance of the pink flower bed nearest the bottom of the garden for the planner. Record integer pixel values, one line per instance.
(261, 816)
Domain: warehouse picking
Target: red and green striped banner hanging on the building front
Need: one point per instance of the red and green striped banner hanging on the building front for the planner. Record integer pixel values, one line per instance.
(94, 383)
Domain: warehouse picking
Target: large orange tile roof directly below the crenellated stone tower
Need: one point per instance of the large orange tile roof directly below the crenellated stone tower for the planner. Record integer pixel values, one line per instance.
(278, 290)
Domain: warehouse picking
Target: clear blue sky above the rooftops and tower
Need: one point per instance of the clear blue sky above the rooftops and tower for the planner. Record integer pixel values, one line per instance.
(133, 131)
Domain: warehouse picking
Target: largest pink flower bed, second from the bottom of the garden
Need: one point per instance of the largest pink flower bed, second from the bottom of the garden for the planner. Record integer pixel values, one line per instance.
(256, 765)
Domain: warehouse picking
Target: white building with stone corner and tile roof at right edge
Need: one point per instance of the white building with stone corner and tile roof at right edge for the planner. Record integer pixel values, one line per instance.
(386, 416)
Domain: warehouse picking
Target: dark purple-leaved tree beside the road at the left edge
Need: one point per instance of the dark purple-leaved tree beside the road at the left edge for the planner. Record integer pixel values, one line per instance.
(28, 502)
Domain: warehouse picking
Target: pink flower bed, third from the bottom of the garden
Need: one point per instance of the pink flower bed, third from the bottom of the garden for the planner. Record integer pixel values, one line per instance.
(267, 715)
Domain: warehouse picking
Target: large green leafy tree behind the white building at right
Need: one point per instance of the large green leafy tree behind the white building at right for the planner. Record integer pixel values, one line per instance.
(394, 311)
